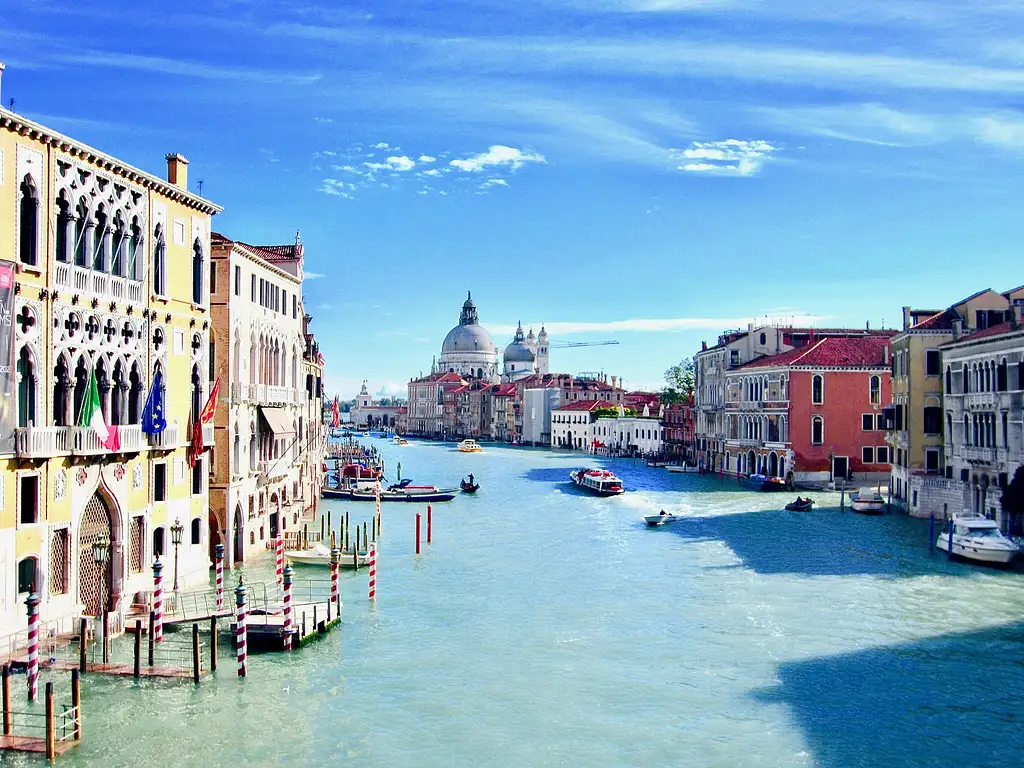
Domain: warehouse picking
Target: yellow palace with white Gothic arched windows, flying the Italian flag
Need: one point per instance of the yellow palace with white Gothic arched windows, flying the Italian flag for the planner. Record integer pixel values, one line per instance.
(112, 282)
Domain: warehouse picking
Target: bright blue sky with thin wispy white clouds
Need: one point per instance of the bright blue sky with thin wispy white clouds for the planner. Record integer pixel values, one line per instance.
(652, 173)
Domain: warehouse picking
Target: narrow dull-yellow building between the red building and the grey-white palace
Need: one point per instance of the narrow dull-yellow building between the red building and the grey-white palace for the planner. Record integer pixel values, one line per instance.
(916, 419)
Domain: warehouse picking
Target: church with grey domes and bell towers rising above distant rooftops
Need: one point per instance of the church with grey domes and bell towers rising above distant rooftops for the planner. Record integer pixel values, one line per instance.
(470, 352)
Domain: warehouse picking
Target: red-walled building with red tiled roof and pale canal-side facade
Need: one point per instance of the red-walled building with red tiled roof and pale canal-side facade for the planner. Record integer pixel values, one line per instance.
(816, 411)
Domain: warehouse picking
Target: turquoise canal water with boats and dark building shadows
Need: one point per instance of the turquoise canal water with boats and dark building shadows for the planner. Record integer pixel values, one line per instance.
(547, 628)
